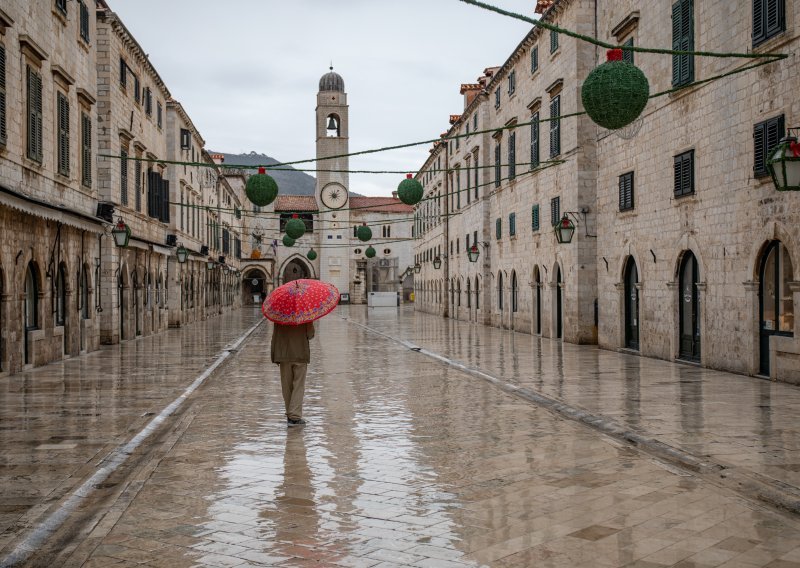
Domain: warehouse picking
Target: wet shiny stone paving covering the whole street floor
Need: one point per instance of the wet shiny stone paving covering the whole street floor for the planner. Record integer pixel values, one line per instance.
(406, 461)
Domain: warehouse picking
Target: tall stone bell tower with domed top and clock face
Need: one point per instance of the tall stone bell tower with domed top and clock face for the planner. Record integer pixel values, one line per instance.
(332, 190)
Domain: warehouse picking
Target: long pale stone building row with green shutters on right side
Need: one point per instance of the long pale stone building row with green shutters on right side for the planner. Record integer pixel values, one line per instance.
(696, 266)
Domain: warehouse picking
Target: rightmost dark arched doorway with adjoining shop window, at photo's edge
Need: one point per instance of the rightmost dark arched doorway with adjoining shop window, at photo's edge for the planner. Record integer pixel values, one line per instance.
(775, 302)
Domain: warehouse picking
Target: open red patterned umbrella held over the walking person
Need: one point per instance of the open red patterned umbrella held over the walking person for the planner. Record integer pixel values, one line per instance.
(300, 301)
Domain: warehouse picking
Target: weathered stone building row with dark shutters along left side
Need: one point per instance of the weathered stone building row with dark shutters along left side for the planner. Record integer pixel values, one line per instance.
(75, 86)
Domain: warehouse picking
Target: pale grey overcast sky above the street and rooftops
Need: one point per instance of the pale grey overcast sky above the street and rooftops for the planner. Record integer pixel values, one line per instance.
(247, 71)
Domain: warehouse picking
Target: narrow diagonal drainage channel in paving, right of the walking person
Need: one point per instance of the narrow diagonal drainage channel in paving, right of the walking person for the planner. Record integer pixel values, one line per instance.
(748, 484)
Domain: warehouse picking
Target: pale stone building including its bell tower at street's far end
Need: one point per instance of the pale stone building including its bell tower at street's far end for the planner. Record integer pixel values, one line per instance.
(332, 217)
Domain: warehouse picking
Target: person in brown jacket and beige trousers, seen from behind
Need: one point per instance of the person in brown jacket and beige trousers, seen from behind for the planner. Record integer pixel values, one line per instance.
(291, 351)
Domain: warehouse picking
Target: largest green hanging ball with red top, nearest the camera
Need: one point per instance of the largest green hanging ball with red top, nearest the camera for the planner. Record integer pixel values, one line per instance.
(615, 94)
